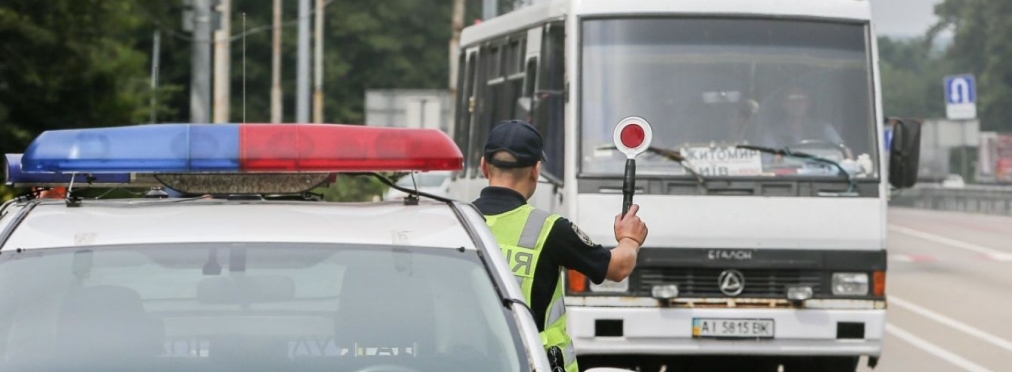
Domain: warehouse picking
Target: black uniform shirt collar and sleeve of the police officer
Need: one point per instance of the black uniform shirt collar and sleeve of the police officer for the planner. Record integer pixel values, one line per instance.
(565, 247)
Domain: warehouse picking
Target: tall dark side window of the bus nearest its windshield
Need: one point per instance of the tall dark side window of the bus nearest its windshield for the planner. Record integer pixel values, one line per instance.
(550, 110)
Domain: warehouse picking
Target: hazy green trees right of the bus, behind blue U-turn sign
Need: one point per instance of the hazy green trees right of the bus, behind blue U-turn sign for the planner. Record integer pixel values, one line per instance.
(971, 37)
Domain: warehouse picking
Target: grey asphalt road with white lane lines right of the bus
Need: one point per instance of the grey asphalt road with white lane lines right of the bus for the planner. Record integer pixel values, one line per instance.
(950, 289)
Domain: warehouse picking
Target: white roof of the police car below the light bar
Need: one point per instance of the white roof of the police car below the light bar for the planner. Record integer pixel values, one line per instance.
(131, 222)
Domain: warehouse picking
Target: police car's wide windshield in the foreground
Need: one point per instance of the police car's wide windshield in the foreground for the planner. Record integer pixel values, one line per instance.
(252, 308)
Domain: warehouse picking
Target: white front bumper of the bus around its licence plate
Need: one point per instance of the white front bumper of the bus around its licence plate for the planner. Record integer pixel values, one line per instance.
(665, 331)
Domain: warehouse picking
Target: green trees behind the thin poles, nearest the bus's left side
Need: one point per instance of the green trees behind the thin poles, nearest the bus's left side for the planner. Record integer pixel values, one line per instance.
(369, 45)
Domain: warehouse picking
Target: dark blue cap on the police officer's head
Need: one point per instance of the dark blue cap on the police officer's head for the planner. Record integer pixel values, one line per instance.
(519, 139)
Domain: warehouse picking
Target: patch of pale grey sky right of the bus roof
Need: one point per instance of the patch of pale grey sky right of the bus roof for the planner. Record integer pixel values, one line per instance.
(903, 19)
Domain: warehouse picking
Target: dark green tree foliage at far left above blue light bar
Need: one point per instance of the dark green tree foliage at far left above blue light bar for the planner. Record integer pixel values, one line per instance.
(67, 64)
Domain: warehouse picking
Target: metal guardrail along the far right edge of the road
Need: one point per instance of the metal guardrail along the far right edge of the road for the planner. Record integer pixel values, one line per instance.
(972, 199)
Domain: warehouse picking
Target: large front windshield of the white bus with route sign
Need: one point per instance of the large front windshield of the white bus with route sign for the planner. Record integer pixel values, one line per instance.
(707, 85)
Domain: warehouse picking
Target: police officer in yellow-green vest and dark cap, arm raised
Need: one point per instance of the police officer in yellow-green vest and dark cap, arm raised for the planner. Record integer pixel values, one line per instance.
(539, 245)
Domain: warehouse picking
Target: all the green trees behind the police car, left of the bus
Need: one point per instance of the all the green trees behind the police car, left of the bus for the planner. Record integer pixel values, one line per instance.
(68, 64)
